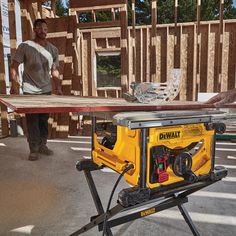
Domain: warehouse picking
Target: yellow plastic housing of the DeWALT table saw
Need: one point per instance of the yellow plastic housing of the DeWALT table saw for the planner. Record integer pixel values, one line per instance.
(174, 139)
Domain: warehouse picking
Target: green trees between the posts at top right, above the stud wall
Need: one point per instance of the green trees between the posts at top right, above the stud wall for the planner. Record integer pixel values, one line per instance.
(186, 11)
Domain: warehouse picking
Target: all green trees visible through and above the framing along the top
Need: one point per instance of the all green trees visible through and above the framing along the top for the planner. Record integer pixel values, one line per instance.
(187, 11)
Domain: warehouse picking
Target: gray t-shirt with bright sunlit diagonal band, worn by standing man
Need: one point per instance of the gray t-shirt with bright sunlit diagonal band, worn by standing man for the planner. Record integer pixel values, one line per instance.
(38, 61)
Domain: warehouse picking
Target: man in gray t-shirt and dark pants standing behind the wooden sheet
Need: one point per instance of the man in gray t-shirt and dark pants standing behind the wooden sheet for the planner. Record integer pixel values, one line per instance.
(40, 76)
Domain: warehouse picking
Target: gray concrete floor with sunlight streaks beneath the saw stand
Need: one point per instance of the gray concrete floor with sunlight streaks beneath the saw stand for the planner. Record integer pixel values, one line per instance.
(50, 197)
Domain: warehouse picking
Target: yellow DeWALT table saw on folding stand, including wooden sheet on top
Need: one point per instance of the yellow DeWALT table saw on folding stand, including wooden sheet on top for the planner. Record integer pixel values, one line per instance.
(164, 151)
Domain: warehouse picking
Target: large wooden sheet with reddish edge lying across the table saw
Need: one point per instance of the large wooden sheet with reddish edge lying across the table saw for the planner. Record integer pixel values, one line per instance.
(55, 104)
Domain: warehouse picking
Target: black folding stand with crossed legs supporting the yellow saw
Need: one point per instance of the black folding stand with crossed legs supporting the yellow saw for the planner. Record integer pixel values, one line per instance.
(162, 198)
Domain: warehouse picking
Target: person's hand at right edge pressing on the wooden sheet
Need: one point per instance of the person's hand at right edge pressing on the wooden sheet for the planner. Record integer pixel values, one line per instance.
(223, 98)
